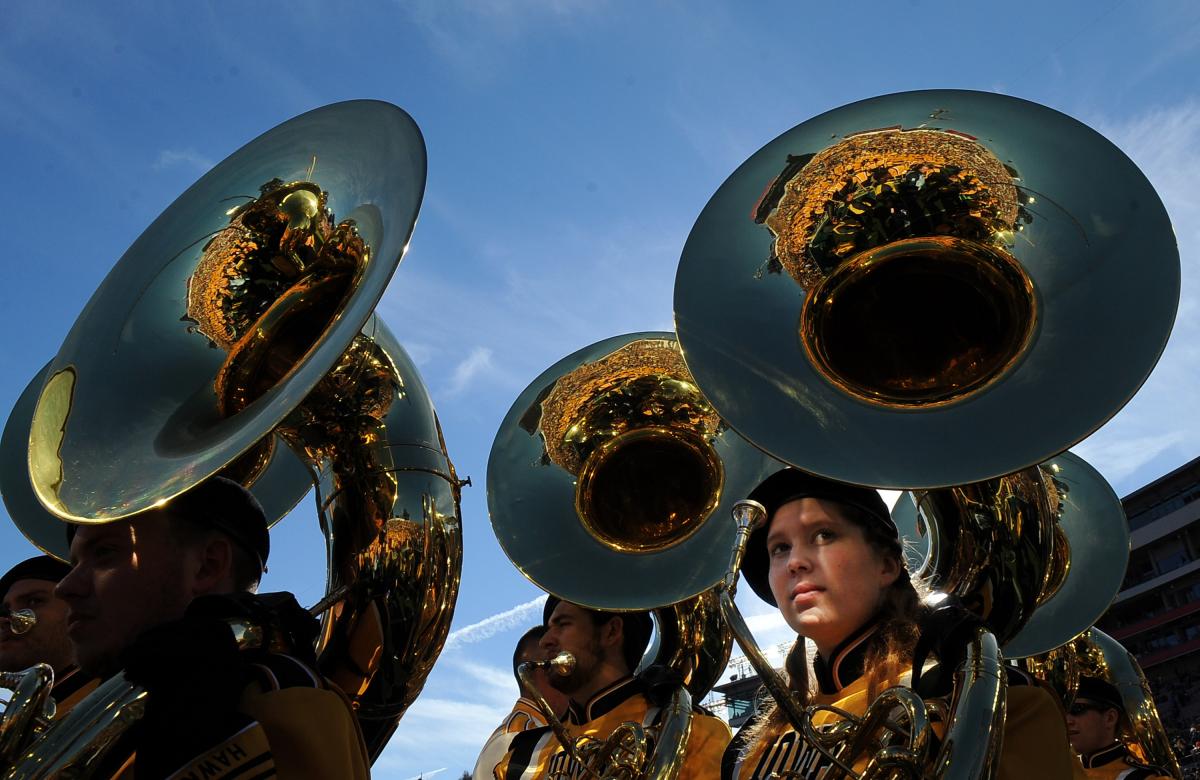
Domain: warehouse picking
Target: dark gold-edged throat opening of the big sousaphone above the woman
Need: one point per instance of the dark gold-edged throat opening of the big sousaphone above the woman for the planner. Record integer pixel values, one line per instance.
(869, 350)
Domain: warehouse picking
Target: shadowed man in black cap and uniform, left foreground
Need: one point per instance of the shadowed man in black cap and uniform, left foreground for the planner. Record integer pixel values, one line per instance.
(155, 596)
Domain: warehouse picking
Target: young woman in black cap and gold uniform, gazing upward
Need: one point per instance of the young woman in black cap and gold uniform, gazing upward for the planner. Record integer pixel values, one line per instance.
(831, 560)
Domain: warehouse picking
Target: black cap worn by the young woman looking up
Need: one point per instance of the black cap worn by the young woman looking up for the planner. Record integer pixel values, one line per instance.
(790, 485)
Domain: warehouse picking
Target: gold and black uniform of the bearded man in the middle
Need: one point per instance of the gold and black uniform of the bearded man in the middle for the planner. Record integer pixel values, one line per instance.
(537, 754)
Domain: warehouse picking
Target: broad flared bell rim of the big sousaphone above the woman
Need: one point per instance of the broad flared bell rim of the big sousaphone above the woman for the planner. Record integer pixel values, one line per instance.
(737, 321)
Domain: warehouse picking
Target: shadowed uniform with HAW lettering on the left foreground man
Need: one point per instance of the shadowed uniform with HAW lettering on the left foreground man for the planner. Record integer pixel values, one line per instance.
(284, 721)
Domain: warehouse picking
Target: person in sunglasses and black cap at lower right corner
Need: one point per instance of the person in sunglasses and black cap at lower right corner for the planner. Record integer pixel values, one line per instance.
(1094, 727)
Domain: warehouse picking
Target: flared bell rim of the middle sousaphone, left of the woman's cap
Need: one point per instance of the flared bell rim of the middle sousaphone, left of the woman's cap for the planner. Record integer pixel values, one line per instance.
(531, 502)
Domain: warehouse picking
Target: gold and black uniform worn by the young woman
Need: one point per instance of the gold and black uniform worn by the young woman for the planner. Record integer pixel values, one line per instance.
(1035, 734)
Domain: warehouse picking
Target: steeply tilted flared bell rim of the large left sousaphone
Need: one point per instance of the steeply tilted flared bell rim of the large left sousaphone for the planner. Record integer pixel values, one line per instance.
(173, 455)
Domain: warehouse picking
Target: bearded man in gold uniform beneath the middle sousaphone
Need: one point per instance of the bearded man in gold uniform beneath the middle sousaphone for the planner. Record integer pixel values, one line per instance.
(604, 694)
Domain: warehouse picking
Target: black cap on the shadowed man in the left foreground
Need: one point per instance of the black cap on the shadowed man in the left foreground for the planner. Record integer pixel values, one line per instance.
(224, 505)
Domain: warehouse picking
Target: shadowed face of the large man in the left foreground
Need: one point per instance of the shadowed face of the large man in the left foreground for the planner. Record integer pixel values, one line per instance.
(128, 577)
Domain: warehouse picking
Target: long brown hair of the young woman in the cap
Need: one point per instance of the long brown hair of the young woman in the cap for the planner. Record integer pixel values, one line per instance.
(890, 650)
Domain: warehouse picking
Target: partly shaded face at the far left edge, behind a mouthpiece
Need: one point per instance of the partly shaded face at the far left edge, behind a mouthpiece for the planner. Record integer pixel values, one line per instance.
(47, 641)
